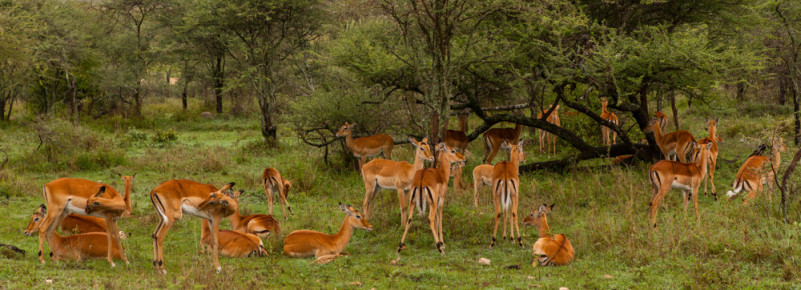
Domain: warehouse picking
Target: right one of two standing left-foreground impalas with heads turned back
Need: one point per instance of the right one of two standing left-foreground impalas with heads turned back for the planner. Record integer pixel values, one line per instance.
(173, 198)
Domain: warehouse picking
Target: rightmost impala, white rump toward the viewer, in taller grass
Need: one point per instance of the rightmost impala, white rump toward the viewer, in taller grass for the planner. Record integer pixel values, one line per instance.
(756, 171)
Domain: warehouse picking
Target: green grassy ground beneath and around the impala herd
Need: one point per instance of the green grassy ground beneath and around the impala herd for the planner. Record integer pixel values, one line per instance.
(601, 209)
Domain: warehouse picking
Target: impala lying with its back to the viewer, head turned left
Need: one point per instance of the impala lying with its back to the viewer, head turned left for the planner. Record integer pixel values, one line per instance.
(549, 249)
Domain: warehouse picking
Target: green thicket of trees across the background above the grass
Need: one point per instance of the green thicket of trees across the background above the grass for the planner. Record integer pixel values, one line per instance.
(401, 66)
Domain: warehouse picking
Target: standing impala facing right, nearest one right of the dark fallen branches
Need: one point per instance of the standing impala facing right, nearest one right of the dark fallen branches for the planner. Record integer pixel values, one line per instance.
(667, 174)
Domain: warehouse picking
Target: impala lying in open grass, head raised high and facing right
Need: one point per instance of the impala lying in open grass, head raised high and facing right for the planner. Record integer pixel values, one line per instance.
(326, 248)
